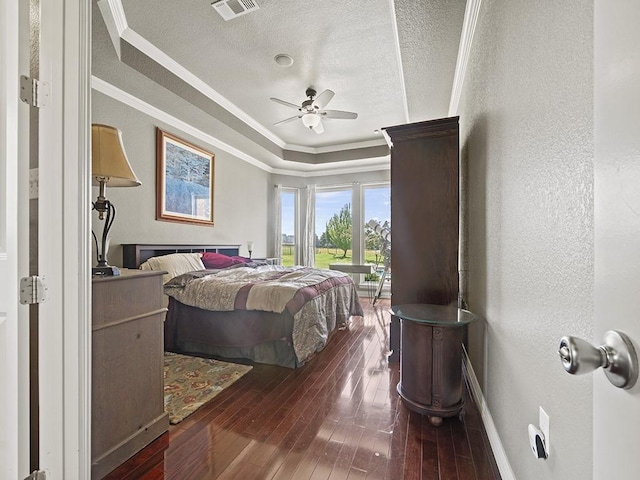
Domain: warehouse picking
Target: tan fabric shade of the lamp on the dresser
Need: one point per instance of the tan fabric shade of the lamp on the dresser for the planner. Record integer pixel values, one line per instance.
(108, 160)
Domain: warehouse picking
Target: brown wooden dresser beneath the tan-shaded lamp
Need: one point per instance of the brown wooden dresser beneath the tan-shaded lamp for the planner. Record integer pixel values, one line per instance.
(127, 367)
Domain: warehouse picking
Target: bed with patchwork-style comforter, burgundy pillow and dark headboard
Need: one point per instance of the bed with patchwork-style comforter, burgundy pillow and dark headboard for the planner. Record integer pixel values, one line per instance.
(224, 305)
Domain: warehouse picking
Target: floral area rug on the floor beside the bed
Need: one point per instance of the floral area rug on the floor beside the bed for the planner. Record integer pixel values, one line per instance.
(190, 382)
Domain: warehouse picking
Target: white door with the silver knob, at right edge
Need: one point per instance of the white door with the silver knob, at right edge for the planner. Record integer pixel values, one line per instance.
(617, 227)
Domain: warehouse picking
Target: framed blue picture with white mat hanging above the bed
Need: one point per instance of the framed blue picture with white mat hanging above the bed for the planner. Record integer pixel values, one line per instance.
(184, 181)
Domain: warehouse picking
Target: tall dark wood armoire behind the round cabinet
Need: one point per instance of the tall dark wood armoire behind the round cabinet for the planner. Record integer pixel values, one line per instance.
(424, 216)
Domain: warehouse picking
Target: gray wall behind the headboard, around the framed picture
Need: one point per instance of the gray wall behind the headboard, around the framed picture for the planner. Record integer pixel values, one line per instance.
(240, 190)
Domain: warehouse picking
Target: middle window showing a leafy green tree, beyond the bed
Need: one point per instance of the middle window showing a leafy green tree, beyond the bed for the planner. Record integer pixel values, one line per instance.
(333, 226)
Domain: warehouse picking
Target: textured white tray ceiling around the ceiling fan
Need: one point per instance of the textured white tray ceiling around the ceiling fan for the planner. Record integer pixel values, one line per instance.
(391, 62)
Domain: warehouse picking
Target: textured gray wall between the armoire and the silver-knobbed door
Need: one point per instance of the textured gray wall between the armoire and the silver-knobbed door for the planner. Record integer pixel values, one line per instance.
(527, 256)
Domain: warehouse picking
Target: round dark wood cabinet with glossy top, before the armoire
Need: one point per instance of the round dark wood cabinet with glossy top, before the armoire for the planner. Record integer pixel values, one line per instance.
(431, 339)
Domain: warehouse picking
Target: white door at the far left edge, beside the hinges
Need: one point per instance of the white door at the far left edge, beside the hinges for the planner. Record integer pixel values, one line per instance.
(14, 434)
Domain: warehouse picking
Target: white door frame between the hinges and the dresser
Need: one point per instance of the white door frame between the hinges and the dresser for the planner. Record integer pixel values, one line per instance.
(64, 242)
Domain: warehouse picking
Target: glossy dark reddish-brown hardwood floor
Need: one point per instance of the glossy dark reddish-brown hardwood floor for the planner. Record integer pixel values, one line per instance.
(337, 417)
